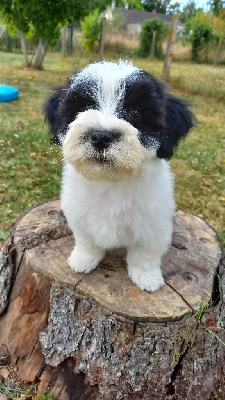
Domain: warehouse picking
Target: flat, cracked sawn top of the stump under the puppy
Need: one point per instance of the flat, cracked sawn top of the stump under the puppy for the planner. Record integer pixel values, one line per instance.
(188, 267)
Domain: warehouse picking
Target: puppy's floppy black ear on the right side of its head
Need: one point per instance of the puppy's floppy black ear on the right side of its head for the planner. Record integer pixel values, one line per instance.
(179, 121)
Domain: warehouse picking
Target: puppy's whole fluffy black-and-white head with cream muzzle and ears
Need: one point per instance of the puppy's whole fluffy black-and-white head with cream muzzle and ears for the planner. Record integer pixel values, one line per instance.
(110, 117)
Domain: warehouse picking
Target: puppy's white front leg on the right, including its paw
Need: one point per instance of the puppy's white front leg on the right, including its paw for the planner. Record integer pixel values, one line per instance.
(144, 268)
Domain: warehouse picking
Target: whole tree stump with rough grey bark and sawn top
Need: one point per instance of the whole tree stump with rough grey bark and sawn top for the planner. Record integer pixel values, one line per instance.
(98, 336)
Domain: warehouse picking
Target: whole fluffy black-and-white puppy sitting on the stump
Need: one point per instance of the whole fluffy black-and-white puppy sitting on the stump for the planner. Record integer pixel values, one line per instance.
(117, 125)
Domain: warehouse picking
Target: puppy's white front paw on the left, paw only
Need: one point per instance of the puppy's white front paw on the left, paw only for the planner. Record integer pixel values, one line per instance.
(80, 261)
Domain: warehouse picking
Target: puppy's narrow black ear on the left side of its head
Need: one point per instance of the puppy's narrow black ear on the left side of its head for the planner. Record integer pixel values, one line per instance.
(51, 111)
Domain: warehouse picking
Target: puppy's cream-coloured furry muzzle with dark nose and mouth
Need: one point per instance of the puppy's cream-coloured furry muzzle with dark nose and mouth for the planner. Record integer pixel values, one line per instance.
(103, 147)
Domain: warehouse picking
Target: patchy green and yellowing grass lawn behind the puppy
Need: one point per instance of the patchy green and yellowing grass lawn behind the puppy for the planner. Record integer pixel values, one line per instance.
(30, 170)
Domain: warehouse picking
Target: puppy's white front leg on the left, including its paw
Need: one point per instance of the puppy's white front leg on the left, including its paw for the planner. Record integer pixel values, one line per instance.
(86, 255)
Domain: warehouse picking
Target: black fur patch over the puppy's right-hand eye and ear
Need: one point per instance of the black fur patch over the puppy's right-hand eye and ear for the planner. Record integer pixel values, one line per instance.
(156, 114)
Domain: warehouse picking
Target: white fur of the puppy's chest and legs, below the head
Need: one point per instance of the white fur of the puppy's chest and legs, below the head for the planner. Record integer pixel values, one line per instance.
(135, 213)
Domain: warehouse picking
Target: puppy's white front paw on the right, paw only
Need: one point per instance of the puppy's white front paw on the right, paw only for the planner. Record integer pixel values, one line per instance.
(149, 281)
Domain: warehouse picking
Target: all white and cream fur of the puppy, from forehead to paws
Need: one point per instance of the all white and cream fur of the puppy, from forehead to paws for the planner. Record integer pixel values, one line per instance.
(134, 211)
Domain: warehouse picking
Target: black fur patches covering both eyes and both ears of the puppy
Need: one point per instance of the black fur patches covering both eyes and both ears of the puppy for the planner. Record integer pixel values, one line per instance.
(146, 105)
